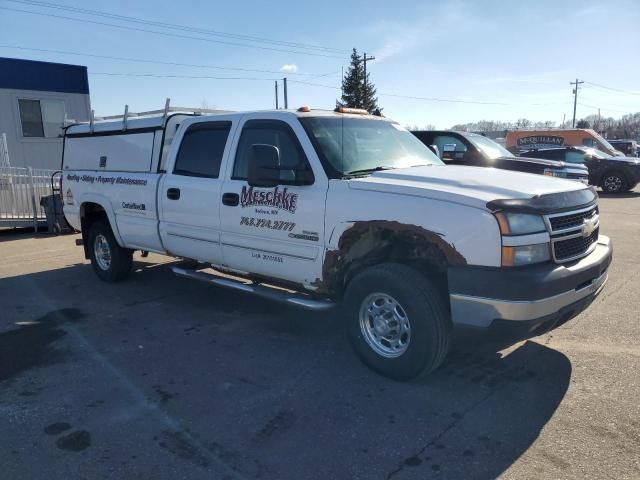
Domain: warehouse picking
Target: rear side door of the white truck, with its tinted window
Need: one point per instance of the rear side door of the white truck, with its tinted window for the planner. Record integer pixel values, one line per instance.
(190, 192)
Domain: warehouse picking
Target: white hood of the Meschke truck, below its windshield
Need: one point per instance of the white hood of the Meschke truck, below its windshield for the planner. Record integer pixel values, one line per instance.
(472, 186)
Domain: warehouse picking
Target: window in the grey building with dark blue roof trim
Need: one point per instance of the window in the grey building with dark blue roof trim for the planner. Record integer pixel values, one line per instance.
(41, 118)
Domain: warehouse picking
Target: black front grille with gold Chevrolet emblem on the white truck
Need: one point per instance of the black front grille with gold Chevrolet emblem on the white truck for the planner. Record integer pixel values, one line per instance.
(571, 235)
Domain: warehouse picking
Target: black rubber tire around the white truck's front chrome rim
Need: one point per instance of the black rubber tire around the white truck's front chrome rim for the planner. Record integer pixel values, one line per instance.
(422, 304)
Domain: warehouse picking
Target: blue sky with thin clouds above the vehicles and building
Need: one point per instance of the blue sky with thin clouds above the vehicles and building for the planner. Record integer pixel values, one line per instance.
(520, 54)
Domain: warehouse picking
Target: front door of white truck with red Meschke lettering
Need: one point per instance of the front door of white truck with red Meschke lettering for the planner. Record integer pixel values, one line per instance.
(279, 231)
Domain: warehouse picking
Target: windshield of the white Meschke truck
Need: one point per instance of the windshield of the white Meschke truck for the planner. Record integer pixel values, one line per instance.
(358, 145)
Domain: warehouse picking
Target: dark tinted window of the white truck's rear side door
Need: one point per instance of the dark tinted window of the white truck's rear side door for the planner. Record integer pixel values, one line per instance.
(201, 150)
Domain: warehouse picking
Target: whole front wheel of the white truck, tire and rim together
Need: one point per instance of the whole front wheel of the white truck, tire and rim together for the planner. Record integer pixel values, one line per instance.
(398, 322)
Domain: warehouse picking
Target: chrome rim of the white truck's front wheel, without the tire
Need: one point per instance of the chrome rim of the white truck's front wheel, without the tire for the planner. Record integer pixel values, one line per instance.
(385, 325)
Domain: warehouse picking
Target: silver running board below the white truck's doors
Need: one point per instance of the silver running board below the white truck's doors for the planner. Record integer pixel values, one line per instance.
(278, 295)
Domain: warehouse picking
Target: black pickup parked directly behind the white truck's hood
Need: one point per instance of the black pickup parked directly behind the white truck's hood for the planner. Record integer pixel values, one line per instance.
(465, 148)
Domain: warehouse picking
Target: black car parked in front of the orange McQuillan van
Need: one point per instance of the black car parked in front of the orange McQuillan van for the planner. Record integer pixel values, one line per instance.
(612, 174)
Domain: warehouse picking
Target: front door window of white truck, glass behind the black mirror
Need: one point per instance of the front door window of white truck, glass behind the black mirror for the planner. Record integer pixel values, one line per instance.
(269, 132)
